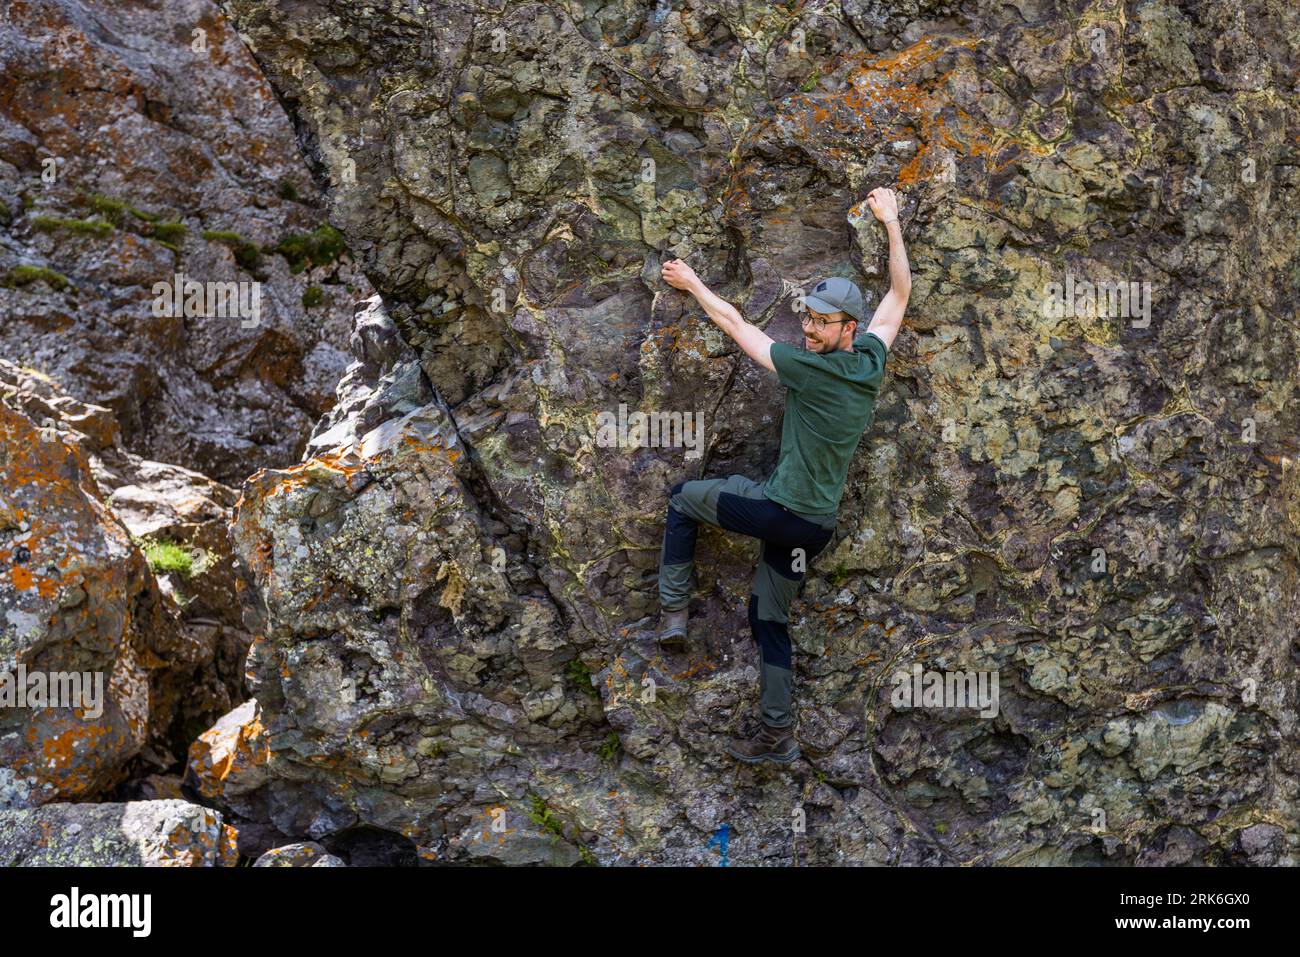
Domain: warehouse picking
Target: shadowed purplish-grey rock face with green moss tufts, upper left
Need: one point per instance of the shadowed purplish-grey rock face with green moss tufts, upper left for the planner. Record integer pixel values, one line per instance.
(137, 144)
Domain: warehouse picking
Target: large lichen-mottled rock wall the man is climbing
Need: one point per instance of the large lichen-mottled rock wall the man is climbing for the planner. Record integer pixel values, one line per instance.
(1097, 504)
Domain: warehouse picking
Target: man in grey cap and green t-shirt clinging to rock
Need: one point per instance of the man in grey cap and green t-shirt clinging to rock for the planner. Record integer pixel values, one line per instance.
(830, 401)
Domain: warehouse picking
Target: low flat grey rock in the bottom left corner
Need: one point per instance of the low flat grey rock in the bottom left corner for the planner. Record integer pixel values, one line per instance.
(151, 834)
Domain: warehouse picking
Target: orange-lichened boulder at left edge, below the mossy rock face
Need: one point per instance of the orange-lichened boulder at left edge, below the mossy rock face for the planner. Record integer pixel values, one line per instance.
(79, 596)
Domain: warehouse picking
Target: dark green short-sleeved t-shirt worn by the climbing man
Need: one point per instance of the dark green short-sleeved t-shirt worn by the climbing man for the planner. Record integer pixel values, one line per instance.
(830, 402)
